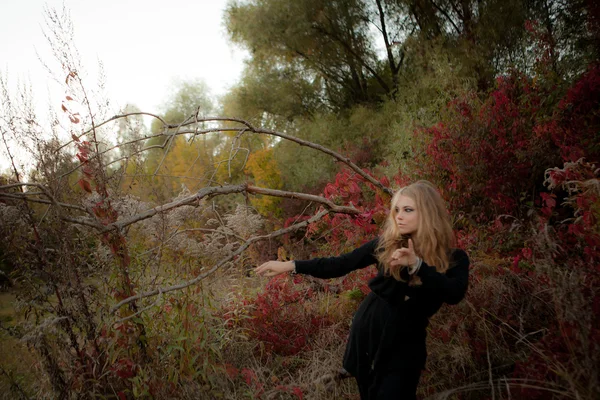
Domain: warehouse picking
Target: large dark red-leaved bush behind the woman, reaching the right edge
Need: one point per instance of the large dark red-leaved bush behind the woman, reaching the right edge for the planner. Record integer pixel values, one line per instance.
(490, 157)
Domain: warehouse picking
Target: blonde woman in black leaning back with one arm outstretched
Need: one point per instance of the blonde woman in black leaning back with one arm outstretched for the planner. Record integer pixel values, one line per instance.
(418, 271)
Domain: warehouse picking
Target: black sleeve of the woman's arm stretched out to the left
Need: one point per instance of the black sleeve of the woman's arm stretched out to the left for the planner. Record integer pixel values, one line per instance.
(333, 267)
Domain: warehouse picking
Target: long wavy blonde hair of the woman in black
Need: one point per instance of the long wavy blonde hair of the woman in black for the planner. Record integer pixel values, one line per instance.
(434, 236)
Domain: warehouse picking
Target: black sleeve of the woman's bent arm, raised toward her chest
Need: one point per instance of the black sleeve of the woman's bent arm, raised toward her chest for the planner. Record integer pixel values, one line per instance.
(453, 284)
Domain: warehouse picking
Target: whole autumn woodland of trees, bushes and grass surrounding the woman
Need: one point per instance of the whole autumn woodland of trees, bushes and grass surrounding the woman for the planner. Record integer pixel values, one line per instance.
(127, 252)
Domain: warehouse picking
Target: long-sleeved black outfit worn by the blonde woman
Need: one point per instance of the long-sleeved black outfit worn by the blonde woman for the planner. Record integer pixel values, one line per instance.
(387, 337)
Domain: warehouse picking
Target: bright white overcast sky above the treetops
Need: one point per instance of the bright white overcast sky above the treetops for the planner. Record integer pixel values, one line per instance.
(141, 43)
